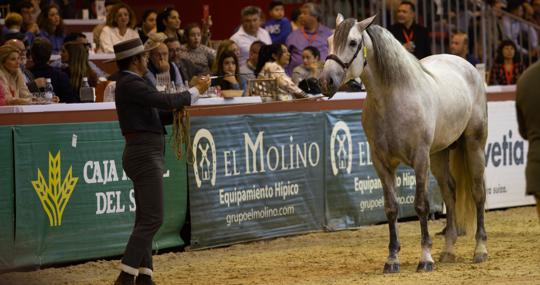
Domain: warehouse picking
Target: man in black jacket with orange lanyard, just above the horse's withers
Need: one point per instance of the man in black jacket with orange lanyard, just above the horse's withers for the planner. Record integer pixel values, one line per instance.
(414, 37)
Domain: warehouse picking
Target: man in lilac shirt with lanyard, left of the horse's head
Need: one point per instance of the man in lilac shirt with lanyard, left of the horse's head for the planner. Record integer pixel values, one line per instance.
(313, 33)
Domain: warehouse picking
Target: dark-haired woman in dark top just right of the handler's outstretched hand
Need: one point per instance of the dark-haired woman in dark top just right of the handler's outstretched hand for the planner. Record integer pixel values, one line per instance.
(227, 71)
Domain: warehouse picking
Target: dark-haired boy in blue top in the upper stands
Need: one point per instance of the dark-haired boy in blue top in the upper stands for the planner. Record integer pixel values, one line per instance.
(278, 26)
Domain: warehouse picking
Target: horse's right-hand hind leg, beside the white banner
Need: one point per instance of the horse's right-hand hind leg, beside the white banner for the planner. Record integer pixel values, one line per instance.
(476, 163)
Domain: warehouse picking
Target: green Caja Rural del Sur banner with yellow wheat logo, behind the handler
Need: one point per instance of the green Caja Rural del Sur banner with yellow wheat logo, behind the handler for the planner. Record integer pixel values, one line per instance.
(74, 201)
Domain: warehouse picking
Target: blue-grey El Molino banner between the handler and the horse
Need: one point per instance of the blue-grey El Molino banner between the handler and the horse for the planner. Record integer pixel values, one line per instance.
(256, 176)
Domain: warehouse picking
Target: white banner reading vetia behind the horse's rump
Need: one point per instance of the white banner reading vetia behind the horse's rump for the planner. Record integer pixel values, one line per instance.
(506, 157)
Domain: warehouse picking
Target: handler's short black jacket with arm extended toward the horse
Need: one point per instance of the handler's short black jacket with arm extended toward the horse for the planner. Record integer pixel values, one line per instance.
(138, 104)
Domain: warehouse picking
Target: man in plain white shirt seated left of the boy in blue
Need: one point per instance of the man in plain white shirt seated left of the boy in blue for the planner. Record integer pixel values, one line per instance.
(249, 32)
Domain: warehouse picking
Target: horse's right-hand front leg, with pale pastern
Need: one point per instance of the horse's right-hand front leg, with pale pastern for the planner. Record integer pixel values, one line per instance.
(421, 205)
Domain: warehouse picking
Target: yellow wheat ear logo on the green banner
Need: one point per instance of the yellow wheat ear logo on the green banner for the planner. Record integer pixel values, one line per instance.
(55, 194)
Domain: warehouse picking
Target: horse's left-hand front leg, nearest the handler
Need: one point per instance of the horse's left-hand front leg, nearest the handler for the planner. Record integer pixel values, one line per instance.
(386, 173)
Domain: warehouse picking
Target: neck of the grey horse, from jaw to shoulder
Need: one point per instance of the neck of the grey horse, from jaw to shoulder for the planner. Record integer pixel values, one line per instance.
(389, 66)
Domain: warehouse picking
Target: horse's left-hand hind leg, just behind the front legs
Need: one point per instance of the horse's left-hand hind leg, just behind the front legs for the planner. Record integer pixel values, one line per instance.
(441, 170)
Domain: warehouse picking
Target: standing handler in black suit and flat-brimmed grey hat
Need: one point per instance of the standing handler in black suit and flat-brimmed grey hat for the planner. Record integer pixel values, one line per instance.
(138, 106)
